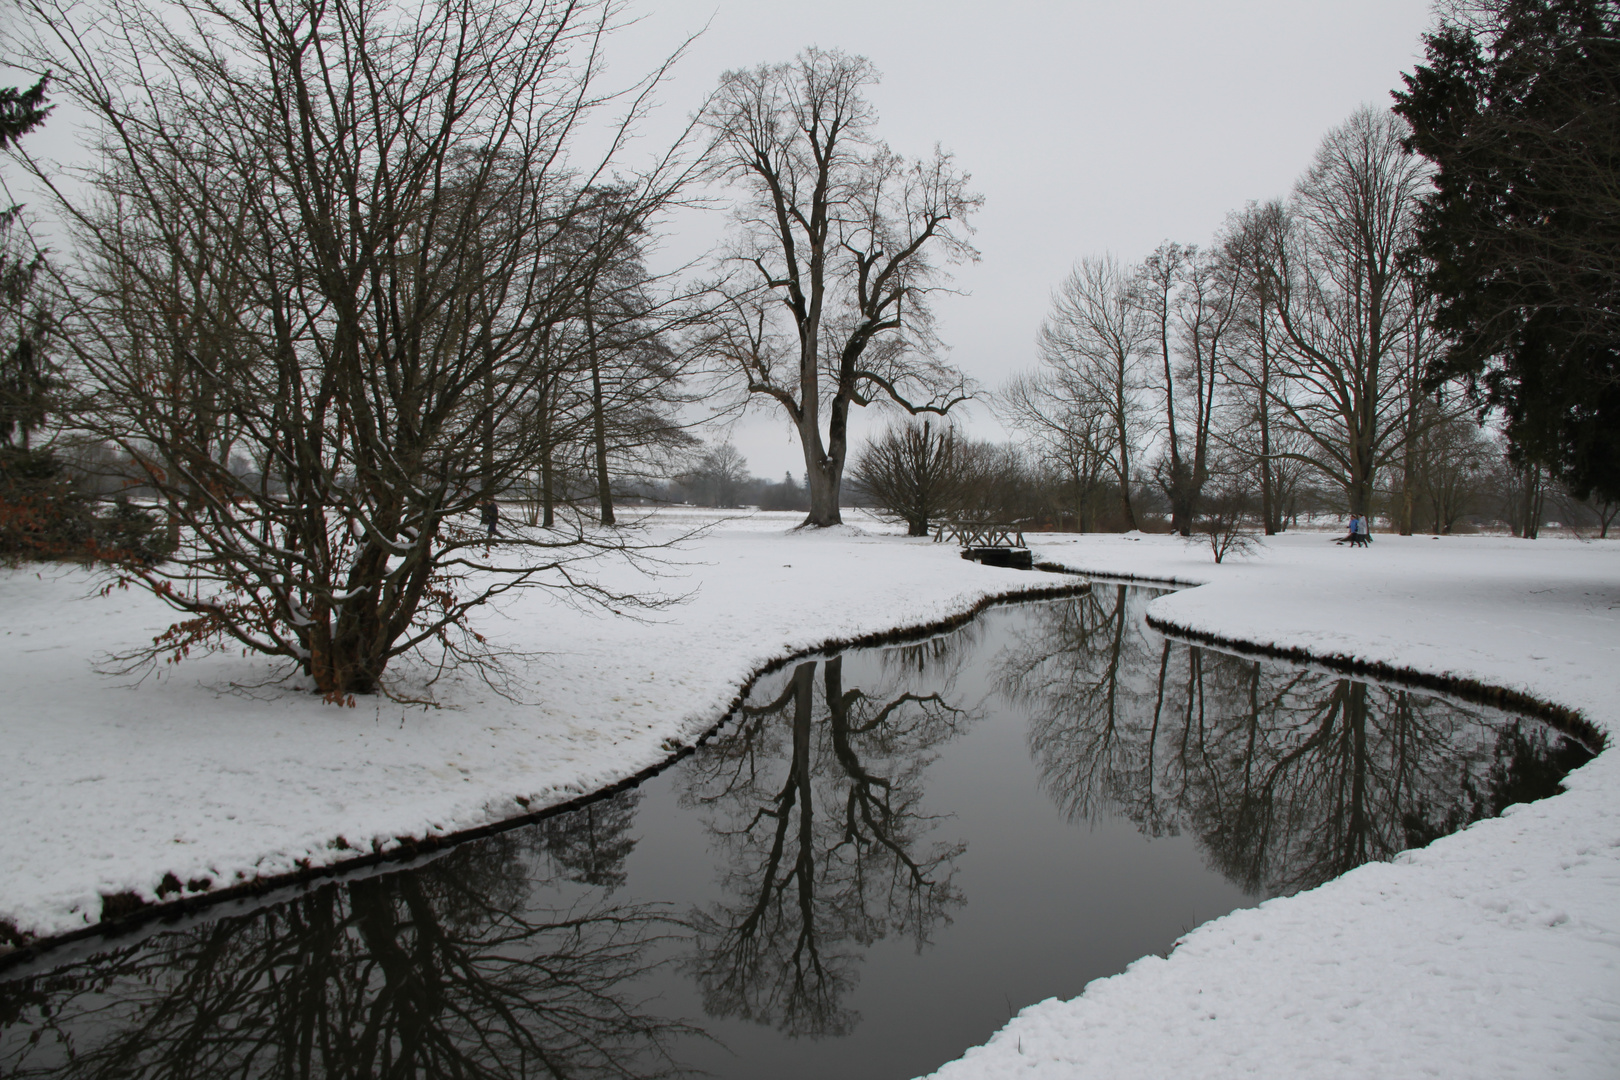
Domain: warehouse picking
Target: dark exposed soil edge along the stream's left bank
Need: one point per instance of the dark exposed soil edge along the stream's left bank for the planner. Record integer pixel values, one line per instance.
(126, 911)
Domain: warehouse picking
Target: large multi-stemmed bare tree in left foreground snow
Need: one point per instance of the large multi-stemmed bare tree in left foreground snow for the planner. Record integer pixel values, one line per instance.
(333, 237)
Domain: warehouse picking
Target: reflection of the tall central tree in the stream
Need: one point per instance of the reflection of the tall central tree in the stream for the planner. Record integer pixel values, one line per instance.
(814, 807)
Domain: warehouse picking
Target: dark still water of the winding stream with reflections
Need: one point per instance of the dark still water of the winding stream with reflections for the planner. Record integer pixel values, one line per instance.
(876, 864)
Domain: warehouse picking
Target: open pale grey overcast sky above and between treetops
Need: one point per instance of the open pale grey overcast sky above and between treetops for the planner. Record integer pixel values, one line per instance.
(1088, 125)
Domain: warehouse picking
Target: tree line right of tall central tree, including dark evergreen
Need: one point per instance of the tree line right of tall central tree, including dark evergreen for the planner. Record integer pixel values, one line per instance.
(1439, 266)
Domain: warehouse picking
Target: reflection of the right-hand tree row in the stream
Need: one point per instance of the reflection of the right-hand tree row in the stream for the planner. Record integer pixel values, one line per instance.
(1289, 778)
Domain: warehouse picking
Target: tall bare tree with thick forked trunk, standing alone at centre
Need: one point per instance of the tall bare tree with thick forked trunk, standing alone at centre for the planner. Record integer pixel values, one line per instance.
(837, 252)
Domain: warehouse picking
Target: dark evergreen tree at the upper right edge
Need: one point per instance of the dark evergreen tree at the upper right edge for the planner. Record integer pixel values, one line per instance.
(1519, 108)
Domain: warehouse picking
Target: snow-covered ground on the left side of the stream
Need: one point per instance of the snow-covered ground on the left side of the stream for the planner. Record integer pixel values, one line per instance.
(111, 788)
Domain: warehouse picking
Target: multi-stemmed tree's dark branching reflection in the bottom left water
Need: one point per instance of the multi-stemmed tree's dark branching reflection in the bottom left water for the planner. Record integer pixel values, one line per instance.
(441, 971)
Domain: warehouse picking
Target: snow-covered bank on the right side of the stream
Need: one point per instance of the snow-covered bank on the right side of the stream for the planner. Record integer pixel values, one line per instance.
(1494, 953)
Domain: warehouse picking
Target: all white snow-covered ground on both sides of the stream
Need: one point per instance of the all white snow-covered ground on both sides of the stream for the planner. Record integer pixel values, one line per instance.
(1494, 953)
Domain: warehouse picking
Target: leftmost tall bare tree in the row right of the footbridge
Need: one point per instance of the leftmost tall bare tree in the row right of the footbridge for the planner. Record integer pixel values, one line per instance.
(1093, 352)
